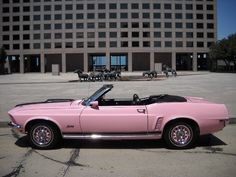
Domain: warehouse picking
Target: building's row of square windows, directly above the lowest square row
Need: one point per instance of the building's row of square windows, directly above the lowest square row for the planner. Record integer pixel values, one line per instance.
(81, 35)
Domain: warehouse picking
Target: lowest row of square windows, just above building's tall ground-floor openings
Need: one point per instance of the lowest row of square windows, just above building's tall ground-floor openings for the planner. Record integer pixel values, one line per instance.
(102, 44)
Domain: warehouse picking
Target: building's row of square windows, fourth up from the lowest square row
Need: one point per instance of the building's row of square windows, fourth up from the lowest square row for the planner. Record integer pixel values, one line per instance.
(80, 16)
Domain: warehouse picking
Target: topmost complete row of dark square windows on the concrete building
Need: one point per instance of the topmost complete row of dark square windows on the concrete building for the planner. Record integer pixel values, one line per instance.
(111, 6)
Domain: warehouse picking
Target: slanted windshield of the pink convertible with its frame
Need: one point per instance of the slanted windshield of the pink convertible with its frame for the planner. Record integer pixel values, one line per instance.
(104, 89)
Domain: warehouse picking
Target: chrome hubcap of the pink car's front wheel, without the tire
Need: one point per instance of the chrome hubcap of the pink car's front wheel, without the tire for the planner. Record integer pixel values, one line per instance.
(42, 135)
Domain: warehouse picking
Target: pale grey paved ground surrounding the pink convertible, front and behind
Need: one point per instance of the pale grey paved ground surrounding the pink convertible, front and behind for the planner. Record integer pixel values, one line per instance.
(214, 156)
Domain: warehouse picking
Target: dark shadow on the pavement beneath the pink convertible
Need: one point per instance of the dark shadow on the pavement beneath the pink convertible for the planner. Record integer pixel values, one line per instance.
(204, 141)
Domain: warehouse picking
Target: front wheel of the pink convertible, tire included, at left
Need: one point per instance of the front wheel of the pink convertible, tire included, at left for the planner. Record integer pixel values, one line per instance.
(43, 136)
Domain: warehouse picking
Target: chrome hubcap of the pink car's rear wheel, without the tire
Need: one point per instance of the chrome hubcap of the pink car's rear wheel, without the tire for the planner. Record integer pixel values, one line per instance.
(180, 135)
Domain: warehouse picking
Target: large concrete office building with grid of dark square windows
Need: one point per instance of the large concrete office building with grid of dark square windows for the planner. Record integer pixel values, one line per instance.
(132, 35)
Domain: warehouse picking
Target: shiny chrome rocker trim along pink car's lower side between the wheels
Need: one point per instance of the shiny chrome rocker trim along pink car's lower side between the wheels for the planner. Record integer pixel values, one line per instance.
(112, 136)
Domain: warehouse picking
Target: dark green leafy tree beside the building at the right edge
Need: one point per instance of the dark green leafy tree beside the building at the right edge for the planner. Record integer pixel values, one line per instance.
(224, 50)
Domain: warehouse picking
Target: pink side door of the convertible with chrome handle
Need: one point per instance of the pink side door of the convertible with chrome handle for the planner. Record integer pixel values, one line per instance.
(114, 119)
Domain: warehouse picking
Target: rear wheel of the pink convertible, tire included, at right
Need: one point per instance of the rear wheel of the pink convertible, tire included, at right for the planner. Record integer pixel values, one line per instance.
(180, 135)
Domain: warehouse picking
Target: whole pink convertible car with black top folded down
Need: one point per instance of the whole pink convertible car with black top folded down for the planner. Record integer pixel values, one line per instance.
(178, 120)
